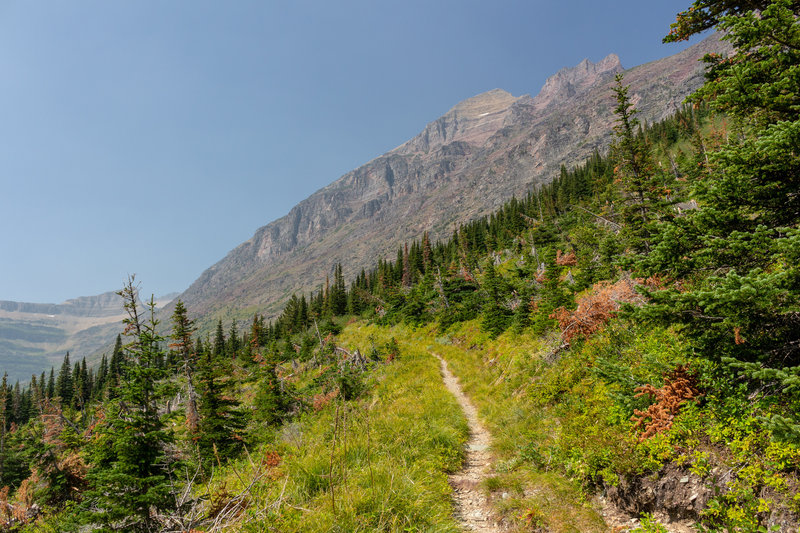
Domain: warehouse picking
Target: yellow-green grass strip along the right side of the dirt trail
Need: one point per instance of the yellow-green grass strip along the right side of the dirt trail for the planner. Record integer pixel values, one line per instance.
(499, 376)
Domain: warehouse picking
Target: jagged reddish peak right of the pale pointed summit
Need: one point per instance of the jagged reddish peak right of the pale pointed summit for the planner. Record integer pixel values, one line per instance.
(570, 81)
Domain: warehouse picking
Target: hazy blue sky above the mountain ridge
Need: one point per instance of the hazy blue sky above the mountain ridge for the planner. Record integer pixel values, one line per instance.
(152, 137)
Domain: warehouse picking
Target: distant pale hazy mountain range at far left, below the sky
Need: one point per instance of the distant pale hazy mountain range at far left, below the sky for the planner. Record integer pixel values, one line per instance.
(35, 336)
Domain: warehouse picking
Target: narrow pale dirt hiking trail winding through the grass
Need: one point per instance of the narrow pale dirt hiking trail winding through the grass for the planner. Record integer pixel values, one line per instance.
(472, 508)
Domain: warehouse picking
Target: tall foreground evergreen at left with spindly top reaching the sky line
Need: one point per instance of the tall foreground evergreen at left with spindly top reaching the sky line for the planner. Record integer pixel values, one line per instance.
(129, 476)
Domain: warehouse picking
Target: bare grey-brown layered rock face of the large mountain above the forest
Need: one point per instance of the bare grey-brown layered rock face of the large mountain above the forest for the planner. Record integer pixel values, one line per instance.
(461, 166)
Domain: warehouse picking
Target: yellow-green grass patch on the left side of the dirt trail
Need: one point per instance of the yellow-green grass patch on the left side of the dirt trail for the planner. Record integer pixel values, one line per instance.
(379, 463)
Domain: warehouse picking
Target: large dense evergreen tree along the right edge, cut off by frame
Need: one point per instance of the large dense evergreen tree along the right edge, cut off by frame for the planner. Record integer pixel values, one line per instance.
(746, 232)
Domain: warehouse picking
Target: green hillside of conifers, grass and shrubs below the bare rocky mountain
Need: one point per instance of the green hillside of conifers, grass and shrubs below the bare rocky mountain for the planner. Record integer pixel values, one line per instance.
(629, 334)
